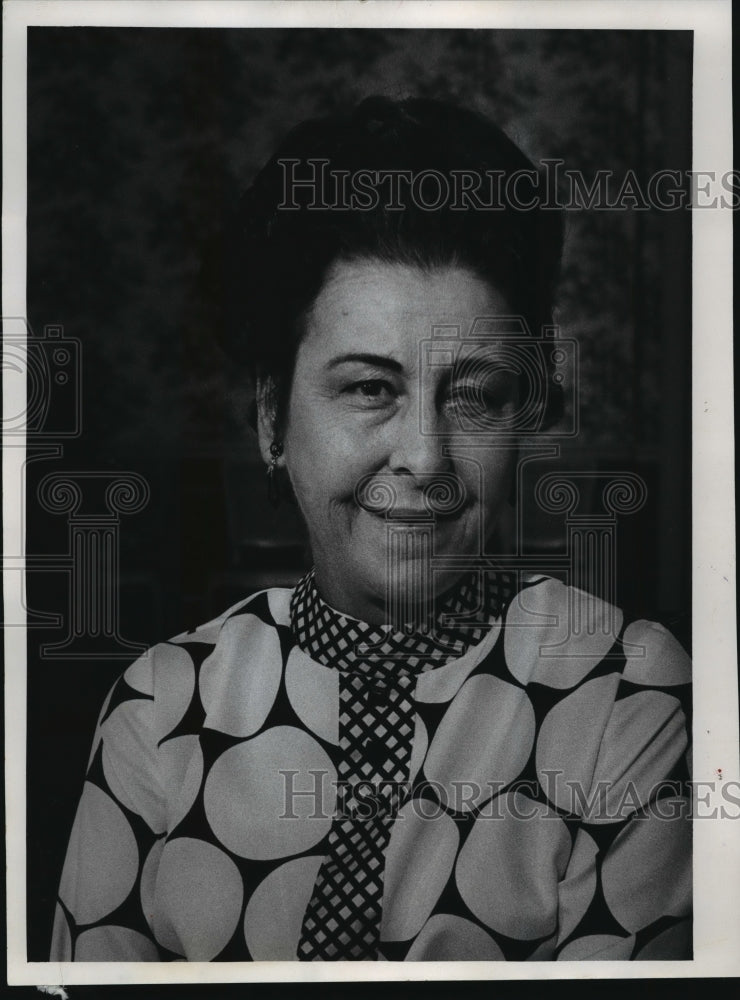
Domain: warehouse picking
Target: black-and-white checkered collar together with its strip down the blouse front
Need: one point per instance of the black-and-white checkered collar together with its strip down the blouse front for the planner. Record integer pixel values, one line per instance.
(378, 669)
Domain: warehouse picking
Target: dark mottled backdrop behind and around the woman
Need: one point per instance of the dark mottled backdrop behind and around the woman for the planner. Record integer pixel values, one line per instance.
(139, 140)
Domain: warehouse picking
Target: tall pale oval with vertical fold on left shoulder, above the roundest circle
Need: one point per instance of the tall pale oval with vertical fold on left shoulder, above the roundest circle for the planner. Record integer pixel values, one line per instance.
(237, 701)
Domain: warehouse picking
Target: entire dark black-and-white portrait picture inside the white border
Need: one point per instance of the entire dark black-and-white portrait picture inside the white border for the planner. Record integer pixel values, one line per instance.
(357, 494)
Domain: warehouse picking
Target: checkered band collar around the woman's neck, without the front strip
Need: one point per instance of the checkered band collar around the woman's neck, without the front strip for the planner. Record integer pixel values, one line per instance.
(462, 618)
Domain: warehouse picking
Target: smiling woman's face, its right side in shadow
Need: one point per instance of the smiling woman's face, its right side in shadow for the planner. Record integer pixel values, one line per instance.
(371, 408)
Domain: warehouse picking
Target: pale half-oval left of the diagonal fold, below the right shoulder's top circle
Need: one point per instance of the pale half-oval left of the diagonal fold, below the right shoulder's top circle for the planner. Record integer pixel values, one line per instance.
(569, 739)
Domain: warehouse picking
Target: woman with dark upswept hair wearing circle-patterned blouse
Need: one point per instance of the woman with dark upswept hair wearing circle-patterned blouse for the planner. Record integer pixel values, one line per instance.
(409, 756)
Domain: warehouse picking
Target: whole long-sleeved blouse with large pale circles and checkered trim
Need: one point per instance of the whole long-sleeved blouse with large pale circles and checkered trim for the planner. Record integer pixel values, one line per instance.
(285, 782)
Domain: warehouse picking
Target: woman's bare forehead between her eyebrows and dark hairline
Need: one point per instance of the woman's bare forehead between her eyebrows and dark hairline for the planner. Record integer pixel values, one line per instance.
(389, 308)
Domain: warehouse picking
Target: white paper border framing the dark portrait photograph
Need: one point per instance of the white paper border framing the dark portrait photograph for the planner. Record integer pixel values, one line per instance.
(716, 843)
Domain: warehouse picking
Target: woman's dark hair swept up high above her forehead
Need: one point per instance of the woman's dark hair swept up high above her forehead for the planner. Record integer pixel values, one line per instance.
(276, 259)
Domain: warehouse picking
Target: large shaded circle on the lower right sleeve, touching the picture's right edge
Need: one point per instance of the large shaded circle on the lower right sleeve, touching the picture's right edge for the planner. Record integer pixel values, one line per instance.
(646, 874)
